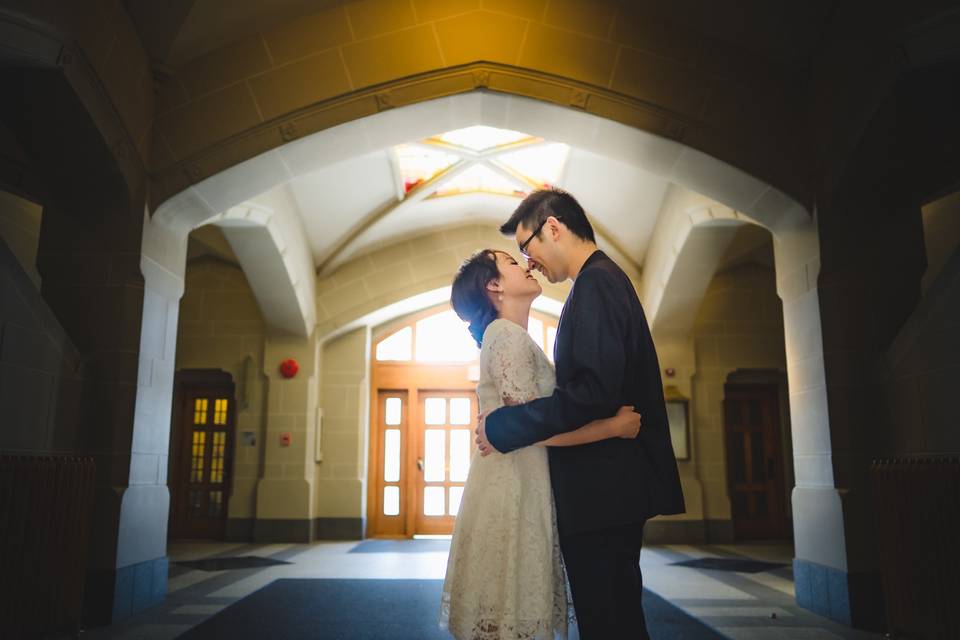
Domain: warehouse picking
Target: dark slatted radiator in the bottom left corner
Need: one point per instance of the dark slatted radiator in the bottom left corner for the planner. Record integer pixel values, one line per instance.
(45, 508)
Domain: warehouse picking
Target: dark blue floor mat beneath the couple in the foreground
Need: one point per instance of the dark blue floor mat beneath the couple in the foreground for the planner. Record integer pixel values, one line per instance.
(378, 610)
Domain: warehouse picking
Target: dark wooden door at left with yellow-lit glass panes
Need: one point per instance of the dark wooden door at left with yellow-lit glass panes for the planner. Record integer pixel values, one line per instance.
(201, 456)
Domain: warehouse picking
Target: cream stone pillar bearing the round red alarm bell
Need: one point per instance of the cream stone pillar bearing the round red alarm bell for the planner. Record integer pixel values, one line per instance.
(285, 493)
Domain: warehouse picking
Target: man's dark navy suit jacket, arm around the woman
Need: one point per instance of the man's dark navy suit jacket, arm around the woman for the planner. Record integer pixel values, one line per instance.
(605, 359)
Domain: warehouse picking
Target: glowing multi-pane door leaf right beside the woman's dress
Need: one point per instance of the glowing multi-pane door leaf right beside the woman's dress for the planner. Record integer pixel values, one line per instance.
(445, 444)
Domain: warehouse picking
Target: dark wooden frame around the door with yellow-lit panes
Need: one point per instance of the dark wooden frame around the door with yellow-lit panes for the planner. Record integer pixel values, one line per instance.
(197, 379)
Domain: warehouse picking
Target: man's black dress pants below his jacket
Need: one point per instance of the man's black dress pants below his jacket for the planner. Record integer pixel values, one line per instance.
(604, 571)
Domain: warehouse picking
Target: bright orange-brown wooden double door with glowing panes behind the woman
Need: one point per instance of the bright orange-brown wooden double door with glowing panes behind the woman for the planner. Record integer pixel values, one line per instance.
(423, 440)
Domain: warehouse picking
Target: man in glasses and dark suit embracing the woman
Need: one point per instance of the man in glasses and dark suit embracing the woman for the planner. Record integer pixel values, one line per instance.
(605, 358)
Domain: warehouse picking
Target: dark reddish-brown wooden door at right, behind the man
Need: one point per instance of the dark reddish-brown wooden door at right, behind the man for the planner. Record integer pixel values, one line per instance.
(754, 456)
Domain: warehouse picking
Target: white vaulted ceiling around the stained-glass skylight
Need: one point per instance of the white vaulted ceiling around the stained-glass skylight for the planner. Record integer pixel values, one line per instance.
(349, 198)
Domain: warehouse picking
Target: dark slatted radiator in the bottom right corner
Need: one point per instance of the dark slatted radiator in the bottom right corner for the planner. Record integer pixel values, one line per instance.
(918, 527)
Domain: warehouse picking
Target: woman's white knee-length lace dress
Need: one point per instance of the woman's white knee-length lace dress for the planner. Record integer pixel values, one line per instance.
(505, 578)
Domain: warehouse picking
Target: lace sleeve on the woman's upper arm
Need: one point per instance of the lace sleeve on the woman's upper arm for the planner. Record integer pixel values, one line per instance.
(512, 366)
